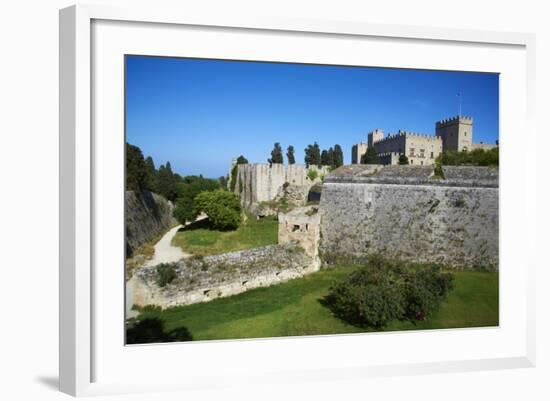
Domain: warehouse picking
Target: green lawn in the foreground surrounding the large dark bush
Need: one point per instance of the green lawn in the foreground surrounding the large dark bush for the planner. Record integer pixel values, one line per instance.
(293, 309)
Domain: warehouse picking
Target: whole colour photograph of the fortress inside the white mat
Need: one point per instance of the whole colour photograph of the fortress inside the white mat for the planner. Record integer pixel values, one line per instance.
(273, 199)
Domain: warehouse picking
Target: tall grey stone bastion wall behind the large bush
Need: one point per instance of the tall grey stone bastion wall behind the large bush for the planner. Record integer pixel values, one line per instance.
(406, 213)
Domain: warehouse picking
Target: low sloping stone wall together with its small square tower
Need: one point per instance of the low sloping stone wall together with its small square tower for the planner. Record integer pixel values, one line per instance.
(202, 279)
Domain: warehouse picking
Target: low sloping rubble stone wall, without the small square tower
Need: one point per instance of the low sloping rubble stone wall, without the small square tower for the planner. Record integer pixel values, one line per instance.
(204, 279)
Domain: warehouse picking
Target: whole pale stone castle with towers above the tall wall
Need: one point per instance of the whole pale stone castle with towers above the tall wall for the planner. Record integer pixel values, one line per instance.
(421, 149)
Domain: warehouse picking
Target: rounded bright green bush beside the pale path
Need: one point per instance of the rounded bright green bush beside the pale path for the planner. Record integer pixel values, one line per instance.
(222, 207)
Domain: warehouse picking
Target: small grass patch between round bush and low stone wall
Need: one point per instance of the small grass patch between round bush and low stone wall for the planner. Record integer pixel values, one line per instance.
(199, 239)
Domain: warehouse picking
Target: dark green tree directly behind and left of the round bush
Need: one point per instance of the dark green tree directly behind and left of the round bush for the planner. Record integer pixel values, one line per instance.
(187, 190)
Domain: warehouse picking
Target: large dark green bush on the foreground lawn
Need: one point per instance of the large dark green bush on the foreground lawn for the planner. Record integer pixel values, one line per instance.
(381, 292)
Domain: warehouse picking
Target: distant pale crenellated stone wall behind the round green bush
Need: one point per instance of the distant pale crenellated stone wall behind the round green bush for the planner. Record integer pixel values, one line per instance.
(261, 182)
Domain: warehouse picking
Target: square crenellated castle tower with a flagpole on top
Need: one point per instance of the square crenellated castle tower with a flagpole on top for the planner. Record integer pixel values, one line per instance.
(456, 133)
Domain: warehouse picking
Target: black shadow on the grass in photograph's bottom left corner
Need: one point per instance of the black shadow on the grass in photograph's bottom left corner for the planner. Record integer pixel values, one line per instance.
(152, 330)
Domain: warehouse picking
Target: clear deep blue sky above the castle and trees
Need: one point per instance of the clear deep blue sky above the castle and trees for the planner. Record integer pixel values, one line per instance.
(199, 114)
